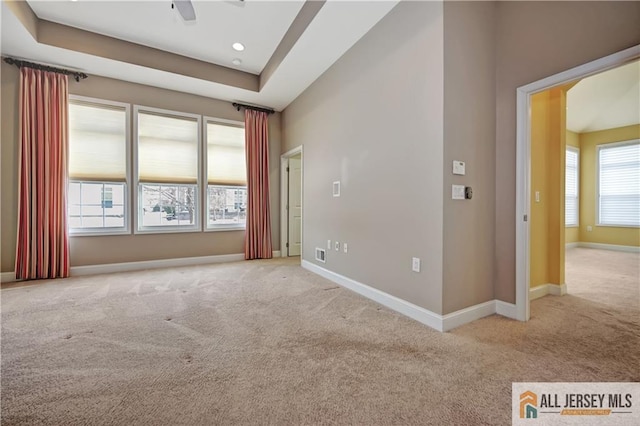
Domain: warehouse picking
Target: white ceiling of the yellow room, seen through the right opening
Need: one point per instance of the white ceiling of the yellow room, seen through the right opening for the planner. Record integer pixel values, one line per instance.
(605, 101)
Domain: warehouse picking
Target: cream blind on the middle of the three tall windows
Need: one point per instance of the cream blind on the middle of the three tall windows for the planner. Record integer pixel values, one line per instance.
(167, 148)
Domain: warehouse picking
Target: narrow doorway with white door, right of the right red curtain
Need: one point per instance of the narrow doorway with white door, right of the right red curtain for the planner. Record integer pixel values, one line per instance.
(291, 166)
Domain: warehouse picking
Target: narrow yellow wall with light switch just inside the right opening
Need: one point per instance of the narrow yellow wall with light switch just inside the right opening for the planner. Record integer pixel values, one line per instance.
(547, 239)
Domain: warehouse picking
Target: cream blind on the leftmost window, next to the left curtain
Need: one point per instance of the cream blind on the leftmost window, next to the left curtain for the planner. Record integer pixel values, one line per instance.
(97, 142)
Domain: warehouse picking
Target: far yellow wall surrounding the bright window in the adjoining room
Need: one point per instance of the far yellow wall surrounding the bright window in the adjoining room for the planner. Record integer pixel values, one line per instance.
(588, 165)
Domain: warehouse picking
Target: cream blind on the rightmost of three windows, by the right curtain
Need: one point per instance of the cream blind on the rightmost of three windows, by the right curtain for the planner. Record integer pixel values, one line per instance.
(226, 161)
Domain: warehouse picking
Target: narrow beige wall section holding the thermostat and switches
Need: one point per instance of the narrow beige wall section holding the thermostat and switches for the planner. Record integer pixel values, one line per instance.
(469, 136)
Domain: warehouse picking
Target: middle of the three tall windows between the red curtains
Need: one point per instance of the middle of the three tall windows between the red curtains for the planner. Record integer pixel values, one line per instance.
(167, 170)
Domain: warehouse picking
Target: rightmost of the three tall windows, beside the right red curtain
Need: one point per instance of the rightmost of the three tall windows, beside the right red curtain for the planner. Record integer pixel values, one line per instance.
(226, 175)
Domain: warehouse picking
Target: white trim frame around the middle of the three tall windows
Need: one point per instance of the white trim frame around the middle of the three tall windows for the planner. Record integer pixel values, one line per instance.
(171, 229)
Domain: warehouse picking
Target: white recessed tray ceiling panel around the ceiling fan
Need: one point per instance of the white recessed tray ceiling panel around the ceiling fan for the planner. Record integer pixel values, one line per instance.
(259, 25)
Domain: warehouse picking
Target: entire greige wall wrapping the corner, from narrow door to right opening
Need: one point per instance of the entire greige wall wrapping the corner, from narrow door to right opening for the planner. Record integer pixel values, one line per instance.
(373, 121)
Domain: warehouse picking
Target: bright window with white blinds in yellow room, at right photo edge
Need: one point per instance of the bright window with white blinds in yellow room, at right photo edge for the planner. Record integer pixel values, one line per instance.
(619, 184)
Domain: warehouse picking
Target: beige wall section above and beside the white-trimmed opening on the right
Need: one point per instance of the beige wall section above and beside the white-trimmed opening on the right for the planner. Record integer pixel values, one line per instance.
(536, 40)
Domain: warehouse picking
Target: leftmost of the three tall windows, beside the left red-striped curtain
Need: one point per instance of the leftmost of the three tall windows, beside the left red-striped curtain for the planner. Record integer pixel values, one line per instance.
(98, 146)
